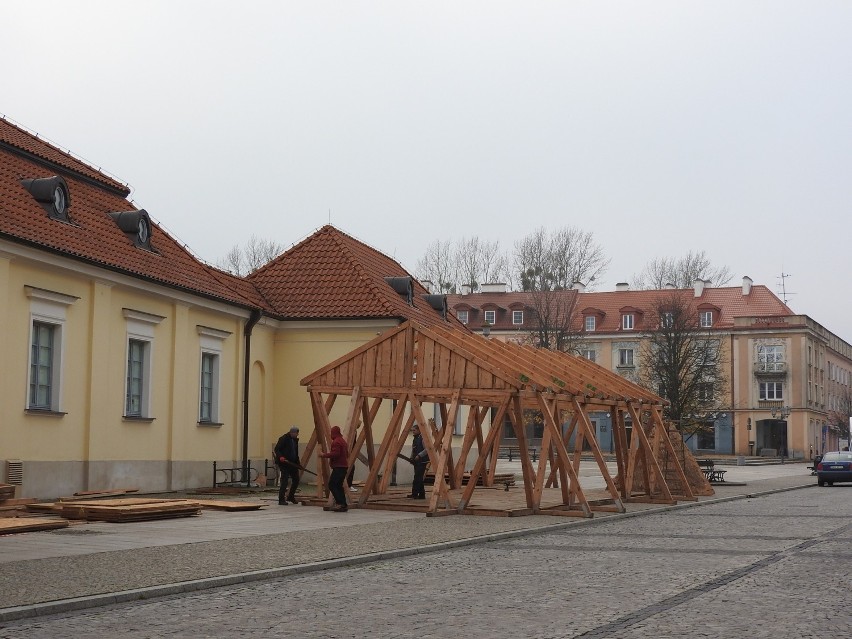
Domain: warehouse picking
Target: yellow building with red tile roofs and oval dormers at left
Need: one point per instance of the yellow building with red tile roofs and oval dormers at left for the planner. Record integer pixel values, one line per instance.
(127, 362)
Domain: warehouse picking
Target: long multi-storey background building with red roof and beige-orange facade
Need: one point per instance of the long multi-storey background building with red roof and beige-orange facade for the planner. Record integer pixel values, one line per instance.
(787, 378)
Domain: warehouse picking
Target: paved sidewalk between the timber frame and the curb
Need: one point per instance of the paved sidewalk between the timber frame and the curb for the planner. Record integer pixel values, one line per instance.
(94, 564)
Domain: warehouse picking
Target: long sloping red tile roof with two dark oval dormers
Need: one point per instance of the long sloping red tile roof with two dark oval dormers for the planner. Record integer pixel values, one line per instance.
(93, 236)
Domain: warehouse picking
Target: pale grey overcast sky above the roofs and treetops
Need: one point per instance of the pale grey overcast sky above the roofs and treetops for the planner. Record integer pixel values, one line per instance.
(662, 127)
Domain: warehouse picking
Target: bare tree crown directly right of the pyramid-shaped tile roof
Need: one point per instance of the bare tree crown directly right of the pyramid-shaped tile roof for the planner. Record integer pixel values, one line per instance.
(467, 261)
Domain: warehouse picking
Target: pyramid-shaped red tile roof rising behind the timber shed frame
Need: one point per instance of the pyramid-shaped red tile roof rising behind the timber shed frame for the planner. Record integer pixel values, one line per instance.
(331, 275)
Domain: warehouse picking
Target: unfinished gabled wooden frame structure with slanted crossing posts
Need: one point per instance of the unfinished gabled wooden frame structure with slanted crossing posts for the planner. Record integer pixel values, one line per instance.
(413, 364)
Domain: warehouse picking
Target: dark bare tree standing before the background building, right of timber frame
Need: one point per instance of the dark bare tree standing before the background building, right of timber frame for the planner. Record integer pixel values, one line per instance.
(683, 363)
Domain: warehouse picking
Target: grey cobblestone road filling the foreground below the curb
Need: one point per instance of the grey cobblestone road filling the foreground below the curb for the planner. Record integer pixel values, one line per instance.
(778, 565)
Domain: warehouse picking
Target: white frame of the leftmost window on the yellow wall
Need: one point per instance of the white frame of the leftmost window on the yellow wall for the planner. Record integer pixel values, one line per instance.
(48, 308)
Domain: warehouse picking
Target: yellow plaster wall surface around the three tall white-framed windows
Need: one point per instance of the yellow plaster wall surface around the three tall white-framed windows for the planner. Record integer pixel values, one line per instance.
(93, 374)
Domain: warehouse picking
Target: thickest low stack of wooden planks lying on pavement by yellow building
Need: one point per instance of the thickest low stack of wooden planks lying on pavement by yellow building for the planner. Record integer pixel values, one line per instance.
(130, 509)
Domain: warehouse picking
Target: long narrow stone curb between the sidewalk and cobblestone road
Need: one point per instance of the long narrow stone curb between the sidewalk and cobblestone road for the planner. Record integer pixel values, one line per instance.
(140, 594)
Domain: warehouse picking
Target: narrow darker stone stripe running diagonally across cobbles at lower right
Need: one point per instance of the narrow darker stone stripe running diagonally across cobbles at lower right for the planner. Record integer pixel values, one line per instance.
(617, 627)
